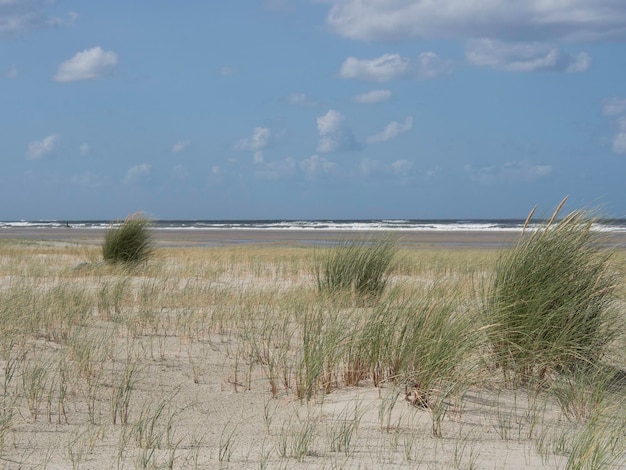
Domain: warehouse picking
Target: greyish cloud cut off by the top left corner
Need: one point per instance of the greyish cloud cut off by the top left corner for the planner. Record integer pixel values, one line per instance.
(27, 15)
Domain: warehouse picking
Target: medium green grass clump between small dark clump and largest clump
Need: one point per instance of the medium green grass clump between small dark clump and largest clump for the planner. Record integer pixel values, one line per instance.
(361, 267)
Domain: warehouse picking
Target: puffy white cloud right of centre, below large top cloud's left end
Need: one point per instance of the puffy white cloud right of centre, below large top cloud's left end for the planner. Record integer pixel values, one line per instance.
(384, 68)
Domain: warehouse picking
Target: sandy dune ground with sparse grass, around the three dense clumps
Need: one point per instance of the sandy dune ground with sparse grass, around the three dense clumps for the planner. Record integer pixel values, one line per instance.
(130, 368)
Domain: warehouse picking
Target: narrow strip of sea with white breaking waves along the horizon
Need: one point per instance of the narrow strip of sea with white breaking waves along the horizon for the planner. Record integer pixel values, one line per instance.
(446, 225)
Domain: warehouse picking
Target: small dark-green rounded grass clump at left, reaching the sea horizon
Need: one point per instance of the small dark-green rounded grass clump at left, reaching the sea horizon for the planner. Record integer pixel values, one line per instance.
(130, 243)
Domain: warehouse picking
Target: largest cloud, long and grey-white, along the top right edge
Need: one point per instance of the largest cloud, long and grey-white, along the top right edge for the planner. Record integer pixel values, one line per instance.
(554, 20)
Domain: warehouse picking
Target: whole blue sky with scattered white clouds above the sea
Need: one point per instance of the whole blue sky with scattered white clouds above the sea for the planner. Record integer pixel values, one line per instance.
(311, 108)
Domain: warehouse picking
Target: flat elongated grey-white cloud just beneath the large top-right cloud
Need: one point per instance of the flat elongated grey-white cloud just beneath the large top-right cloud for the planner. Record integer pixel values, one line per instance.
(524, 57)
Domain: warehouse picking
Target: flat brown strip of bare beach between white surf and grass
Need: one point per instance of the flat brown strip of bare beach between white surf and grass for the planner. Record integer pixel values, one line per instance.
(221, 237)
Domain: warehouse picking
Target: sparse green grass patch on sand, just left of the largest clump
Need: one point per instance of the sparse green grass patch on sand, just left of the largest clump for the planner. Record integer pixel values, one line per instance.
(424, 344)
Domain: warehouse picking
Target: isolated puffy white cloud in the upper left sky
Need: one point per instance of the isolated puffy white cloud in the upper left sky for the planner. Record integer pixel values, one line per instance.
(87, 65)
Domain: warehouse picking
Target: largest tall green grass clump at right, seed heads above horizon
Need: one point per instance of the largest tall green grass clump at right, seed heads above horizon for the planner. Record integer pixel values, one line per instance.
(550, 303)
